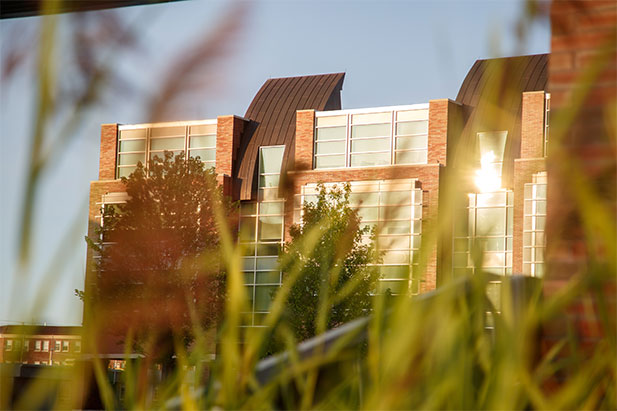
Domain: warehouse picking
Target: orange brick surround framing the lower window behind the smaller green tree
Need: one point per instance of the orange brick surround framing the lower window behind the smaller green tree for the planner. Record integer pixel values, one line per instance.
(428, 177)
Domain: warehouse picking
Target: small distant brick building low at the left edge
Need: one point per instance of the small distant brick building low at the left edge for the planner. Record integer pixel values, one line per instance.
(40, 345)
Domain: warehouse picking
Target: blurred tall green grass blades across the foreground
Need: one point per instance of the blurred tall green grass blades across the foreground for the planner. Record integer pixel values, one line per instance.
(416, 353)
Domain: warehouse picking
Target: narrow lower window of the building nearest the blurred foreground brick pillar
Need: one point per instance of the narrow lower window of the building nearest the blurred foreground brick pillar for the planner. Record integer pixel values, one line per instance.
(534, 221)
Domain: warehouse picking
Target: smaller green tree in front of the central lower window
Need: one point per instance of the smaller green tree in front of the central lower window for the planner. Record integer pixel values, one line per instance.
(336, 282)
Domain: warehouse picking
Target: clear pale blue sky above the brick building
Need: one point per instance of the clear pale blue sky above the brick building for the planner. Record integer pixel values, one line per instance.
(393, 53)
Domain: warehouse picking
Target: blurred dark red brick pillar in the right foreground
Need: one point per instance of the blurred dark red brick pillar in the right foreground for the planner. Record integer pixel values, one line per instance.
(582, 165)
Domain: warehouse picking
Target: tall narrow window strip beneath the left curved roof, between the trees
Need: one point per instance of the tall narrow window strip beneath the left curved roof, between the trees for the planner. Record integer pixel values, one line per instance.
(261, 234)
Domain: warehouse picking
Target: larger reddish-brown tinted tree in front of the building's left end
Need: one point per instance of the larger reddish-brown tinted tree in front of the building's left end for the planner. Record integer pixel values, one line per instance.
(159, 273)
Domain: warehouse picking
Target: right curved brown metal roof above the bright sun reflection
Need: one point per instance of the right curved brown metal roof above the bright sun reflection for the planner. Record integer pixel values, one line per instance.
(492, 98)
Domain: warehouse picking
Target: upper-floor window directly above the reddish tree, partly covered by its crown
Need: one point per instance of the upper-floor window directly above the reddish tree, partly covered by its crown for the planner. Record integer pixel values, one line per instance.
(140, 142)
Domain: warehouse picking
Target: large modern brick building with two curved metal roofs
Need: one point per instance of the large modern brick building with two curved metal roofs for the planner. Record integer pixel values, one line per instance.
(471, 169)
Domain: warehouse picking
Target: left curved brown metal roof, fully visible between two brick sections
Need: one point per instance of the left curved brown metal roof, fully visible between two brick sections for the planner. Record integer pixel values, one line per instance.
(272, 116)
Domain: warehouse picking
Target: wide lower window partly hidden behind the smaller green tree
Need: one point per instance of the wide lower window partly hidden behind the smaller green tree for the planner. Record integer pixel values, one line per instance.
(394, 209)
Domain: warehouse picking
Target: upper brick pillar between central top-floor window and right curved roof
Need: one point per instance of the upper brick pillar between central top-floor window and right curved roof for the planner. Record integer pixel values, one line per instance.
(444, 125)
